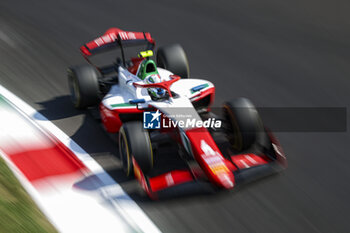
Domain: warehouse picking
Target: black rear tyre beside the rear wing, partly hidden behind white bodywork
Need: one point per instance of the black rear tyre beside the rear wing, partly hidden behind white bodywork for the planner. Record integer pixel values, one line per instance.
(173, 58)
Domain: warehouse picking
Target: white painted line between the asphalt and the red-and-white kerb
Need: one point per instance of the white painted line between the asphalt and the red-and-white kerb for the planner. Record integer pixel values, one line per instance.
(112, 191)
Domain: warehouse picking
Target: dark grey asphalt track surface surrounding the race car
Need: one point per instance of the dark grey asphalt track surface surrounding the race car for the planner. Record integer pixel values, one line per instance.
(277, 53)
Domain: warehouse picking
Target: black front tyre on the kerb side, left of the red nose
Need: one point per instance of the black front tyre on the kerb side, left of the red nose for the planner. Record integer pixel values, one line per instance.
(134, 142)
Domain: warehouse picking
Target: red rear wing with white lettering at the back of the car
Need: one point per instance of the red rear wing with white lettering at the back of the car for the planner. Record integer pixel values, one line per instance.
(114, 38)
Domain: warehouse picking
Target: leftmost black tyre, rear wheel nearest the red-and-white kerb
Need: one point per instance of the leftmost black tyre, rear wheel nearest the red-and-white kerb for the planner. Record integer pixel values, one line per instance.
(84, 86)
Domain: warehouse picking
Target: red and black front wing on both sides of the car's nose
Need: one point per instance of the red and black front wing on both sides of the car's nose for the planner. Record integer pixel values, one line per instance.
(244, 167)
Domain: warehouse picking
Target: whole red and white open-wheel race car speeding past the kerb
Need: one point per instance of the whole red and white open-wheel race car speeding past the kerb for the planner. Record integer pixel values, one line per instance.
(151, 103)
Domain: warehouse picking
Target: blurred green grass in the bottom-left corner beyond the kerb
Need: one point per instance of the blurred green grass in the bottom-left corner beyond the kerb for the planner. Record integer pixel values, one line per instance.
(18, 212)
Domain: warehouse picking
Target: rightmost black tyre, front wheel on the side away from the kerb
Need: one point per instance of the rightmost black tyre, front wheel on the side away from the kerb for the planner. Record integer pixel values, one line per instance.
(244, 123)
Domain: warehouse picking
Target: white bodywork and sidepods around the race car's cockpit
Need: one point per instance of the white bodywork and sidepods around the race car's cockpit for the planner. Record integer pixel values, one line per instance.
(120, 94)
